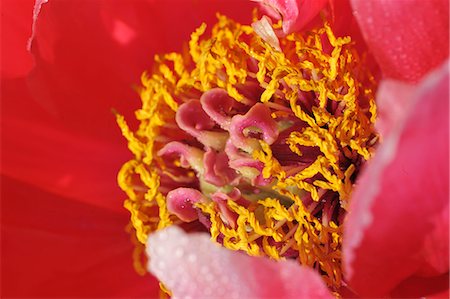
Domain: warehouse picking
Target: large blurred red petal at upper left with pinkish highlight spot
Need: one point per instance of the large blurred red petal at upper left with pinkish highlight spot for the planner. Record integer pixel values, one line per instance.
(74, 147)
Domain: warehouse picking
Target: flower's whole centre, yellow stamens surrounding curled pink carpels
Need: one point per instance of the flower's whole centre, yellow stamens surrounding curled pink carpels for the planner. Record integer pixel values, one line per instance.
(259, 139)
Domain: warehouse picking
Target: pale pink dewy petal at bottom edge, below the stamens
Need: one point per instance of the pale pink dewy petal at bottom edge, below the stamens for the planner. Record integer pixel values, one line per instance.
(190, 265)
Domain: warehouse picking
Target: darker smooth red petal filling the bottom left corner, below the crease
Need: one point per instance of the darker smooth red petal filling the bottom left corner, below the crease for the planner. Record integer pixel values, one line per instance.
(53, 247)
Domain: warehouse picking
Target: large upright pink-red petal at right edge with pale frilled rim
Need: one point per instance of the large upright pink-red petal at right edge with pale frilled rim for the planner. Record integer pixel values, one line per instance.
(400, 194)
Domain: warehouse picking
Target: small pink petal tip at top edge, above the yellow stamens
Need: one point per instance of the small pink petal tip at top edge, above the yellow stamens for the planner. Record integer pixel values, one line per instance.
(294, 13)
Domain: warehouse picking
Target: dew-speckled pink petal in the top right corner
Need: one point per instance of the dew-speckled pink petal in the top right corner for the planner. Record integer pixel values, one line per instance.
(408, 38)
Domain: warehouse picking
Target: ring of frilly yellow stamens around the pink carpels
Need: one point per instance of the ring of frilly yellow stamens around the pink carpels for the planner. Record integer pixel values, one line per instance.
(279, 224)
